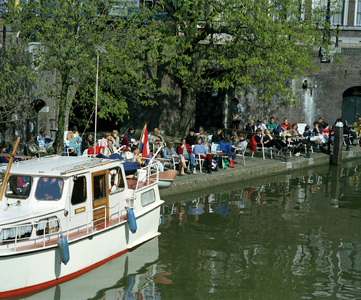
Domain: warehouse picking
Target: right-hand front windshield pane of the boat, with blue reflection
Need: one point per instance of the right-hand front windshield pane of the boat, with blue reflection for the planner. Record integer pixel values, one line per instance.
(49, 188)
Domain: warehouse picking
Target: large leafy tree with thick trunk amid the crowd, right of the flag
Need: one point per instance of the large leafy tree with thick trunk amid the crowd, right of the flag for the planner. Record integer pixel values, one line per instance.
(240, 43)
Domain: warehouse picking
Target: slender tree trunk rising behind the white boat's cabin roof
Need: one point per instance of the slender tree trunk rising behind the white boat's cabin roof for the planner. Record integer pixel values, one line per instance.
(61, 117)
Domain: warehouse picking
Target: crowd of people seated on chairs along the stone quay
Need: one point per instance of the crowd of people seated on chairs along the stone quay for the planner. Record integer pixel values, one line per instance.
(196, 144)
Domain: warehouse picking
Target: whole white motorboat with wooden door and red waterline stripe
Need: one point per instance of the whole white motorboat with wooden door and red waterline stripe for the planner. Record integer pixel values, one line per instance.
(85, 200)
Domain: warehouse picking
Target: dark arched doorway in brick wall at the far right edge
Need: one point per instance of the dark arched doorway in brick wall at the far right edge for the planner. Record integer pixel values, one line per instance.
(351, 104)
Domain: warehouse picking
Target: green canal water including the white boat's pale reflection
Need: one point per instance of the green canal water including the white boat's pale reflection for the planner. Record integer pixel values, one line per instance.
(291, 236)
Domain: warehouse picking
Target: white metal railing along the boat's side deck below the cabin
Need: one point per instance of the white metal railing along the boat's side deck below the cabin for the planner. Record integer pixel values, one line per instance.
(52, 229)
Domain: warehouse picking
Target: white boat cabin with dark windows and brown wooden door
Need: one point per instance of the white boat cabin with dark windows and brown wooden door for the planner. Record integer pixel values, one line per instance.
(73, 195)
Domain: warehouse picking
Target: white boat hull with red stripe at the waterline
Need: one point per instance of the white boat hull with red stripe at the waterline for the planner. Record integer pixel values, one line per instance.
(28, 272)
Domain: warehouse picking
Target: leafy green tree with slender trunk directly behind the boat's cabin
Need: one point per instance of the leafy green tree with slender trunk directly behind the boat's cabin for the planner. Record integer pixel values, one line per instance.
(69, 34)
